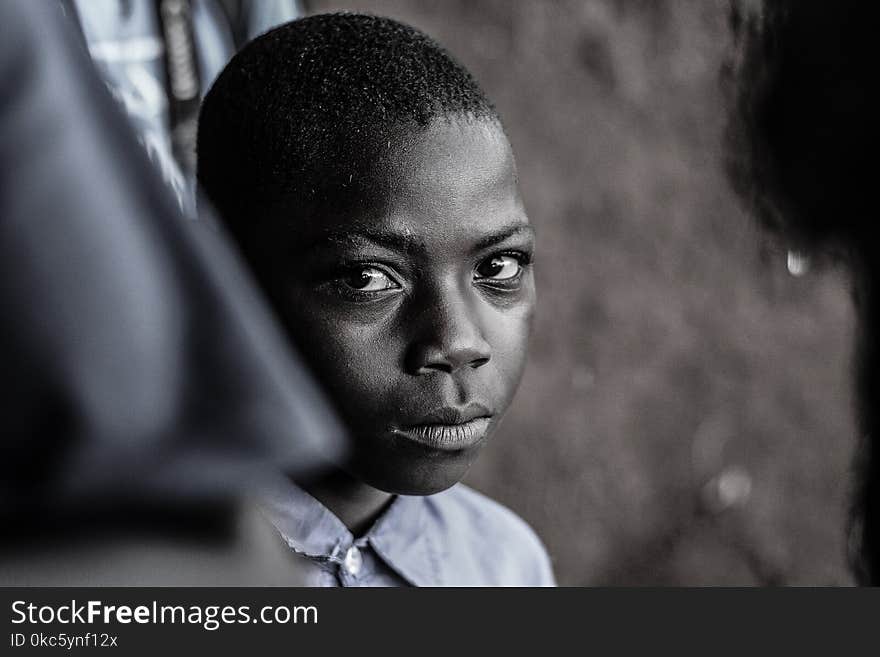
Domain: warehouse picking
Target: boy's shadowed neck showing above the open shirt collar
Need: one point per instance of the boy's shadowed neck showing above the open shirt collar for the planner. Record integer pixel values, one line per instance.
(356, 504)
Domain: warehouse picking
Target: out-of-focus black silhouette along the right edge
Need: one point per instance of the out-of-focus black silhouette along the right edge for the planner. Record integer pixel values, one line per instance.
(801, 153)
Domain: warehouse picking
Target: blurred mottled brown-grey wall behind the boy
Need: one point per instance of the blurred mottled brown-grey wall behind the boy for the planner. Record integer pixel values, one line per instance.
(686, 414)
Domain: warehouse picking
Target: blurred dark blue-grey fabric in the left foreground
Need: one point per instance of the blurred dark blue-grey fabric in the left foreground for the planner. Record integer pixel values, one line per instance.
(145, 387)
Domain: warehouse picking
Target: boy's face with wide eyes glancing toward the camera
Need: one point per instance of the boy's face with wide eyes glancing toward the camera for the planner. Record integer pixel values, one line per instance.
(411, 295)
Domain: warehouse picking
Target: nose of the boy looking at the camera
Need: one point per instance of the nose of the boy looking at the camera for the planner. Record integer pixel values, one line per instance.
(451, 341)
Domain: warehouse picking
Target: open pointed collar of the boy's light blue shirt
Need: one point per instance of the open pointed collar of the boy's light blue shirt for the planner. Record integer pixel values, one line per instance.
(398, 537)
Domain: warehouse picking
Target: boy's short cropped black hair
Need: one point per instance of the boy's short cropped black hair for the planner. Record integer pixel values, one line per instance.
(297, 106)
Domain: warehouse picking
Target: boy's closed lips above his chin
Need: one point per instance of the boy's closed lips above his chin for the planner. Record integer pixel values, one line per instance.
(449, 428)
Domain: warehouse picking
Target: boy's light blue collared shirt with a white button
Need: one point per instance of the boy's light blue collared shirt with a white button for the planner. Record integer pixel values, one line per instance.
(455, 538)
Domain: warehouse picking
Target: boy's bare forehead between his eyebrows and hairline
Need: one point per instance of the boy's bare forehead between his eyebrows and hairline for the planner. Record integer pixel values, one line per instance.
(455, 176)
